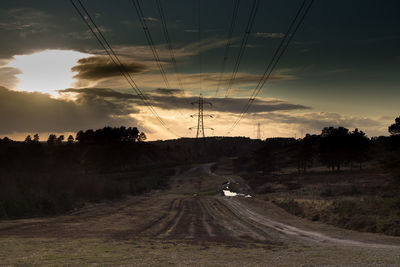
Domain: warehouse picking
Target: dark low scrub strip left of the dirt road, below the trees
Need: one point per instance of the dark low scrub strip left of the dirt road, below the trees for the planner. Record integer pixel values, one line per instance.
(24, 201)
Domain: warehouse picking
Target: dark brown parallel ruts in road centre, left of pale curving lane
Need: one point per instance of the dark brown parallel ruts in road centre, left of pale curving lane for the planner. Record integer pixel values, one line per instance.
(206, 219)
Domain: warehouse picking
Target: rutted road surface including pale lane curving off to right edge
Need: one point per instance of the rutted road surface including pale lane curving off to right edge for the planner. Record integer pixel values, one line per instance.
(226, 219)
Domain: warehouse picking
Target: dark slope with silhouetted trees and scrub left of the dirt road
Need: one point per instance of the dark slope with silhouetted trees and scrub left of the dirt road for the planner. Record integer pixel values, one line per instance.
(41, 178)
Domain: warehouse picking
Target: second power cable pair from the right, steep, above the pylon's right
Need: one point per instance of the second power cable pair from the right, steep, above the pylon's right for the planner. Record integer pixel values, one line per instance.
(247, 32)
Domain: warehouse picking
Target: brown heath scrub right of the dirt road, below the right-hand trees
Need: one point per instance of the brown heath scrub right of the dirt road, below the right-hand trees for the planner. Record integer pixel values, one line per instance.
(366, 201)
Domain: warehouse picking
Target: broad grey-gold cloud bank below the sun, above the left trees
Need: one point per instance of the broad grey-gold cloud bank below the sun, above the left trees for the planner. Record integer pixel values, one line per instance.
(37, 112)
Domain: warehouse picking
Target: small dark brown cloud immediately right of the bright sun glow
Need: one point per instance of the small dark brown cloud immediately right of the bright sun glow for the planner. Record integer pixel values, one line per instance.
(99, 67)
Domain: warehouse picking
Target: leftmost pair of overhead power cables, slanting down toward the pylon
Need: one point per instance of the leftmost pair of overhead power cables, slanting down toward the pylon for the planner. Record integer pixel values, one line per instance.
(115, 59)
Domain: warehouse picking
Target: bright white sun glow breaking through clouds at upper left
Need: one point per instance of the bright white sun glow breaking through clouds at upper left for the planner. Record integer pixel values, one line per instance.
(46, 71)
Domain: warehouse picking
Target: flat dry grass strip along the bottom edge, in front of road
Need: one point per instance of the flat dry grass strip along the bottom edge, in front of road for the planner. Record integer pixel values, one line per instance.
(45, 252)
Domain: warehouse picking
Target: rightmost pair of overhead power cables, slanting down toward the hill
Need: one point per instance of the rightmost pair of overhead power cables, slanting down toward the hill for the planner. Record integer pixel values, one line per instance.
(276, 57)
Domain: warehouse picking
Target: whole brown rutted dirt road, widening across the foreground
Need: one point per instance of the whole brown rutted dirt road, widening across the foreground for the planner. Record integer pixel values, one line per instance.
(191, 212)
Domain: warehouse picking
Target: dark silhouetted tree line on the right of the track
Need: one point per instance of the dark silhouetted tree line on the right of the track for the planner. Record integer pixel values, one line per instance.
(333, 148)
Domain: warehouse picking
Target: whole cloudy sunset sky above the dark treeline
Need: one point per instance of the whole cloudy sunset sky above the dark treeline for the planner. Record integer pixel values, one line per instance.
(340, 69)
